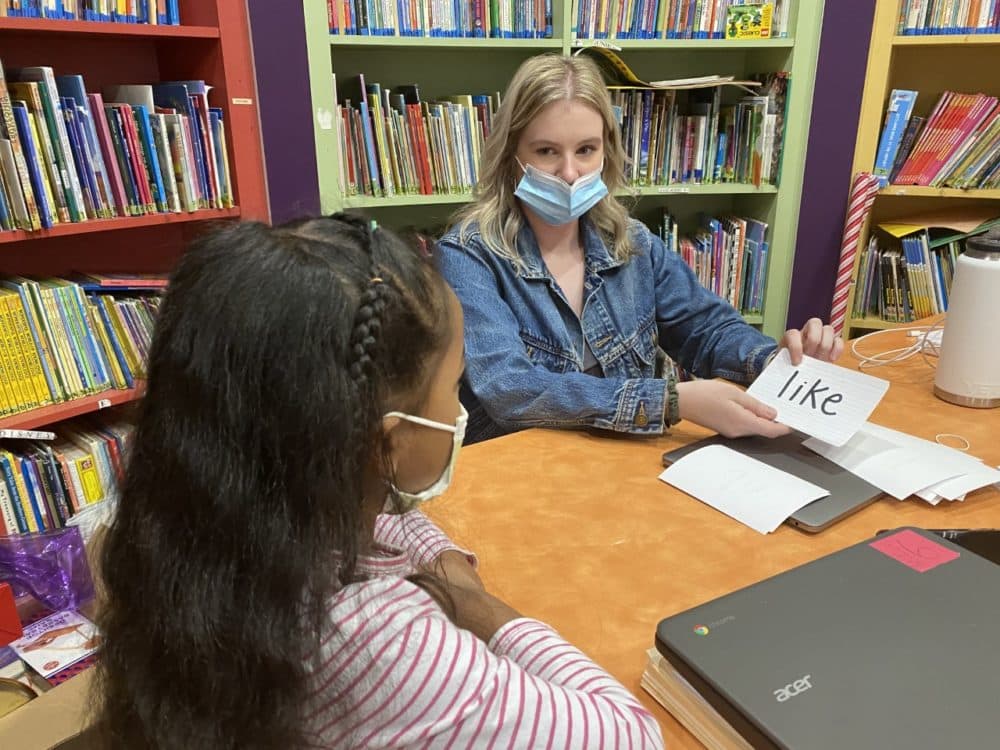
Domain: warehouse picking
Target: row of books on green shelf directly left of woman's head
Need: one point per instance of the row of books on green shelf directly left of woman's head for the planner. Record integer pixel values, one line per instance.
(392, 143)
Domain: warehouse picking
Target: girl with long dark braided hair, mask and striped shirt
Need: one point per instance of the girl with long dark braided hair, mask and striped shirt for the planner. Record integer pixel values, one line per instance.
(269, 580)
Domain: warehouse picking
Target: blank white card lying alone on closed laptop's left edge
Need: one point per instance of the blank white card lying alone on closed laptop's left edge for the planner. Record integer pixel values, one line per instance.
(743, 488)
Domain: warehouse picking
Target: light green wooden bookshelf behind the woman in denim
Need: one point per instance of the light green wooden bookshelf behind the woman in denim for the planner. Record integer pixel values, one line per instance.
(443, 66)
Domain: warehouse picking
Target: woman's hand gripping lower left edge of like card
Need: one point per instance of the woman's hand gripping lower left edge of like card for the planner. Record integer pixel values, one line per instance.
(723, 407)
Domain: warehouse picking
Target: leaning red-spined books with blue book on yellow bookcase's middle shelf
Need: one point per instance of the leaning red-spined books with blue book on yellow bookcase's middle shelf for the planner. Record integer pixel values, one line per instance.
(957, 145)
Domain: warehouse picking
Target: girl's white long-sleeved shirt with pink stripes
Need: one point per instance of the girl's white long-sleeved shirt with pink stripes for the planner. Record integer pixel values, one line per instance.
(394, 671)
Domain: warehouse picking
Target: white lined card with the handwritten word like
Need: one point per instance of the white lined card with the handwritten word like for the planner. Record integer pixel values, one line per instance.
(820, 399)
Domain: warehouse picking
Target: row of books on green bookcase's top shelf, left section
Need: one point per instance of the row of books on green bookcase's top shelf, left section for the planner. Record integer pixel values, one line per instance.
(501, 19)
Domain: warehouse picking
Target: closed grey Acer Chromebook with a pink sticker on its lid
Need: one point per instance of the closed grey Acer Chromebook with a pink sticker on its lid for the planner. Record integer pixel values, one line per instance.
(891, 643)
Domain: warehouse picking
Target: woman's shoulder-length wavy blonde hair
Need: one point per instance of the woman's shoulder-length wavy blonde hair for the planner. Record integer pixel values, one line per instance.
(539, 81)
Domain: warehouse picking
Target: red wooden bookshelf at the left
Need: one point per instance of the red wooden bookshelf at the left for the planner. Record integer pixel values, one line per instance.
(213, 45)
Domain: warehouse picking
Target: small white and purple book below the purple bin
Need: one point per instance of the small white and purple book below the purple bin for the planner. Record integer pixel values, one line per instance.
(55, 642)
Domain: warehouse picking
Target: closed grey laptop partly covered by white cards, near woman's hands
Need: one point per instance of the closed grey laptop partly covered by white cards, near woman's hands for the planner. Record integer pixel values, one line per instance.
(848, 492)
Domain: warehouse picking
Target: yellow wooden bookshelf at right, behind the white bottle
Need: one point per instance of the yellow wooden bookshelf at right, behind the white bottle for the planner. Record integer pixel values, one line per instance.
(930, 65)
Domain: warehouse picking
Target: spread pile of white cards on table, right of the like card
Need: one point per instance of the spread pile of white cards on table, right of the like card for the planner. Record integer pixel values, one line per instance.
(895, 462)
